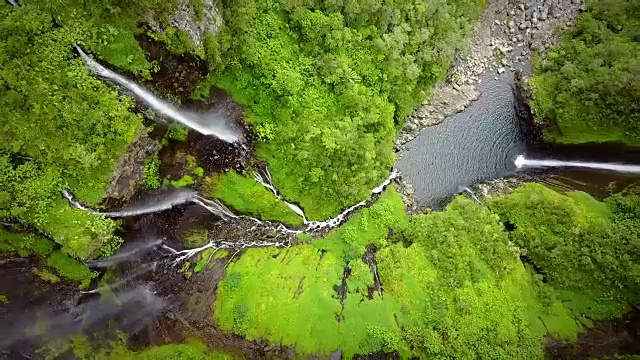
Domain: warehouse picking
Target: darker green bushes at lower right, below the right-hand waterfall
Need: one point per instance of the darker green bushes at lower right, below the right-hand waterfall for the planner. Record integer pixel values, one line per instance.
(581, 245)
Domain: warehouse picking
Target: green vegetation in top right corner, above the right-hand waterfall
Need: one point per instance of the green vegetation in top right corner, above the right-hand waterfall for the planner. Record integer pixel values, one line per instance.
(586, 88)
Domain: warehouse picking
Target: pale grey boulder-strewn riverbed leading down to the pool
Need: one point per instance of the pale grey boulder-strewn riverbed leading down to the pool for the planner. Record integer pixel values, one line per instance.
(509, 32)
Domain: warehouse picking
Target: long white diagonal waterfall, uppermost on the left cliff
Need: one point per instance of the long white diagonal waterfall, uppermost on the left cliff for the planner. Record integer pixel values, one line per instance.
(205, 124)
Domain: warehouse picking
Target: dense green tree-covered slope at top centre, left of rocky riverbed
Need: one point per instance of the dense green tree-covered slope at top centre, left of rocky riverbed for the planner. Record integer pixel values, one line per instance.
(326, 83)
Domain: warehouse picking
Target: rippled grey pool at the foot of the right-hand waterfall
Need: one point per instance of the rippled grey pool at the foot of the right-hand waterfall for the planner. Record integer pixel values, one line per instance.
(477, 144)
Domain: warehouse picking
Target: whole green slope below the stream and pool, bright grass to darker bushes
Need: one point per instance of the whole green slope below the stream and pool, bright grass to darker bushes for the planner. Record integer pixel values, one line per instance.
(458, 290)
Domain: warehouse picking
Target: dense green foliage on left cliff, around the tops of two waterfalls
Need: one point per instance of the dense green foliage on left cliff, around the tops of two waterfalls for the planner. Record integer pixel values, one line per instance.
(62, 127)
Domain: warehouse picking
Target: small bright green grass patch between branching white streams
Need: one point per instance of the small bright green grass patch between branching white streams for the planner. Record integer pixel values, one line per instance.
(247, 196)
